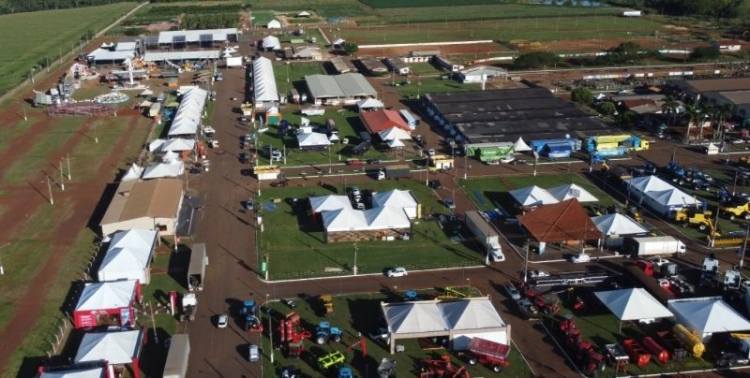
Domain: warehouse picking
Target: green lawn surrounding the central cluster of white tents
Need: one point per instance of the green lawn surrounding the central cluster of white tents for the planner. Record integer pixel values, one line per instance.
(297, 249)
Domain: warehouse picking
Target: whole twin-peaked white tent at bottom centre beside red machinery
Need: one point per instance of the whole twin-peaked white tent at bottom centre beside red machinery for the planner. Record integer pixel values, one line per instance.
(459, 320)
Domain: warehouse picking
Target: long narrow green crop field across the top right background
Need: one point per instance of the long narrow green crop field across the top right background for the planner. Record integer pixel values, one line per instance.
(530, 29)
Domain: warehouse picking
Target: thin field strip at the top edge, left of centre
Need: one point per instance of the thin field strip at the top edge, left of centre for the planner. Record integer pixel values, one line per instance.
(324, 8)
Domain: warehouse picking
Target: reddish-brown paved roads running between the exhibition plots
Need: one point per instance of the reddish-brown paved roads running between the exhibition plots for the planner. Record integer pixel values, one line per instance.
(229, 232)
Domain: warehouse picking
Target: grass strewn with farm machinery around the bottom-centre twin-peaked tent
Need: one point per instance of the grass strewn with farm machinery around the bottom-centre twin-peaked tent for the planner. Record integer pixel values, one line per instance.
(361, 313)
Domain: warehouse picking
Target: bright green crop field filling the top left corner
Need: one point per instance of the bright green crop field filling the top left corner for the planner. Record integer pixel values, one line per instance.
(48, 34)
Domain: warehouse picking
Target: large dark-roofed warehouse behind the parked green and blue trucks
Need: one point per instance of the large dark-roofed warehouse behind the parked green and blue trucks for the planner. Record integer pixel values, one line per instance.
(553, 127)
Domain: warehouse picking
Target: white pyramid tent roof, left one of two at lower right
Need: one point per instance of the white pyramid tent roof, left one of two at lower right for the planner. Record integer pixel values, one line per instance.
(633, 304)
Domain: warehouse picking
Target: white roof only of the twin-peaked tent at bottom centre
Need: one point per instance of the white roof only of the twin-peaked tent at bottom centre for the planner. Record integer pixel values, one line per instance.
(433, 316)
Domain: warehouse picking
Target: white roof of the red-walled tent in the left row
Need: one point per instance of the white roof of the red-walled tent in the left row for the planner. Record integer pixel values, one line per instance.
(106, 295)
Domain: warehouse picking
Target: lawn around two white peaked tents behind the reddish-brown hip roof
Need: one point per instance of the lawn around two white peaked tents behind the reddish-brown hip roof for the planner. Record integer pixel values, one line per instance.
(493, 191)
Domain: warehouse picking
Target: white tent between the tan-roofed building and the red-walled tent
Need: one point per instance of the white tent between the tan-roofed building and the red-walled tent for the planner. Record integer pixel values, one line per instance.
(129, 256)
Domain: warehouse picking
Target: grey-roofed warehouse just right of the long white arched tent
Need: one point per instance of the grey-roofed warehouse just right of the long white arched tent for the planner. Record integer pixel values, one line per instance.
(349, 88)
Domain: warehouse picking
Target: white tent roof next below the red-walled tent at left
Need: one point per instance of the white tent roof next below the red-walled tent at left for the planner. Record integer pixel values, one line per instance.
(117, 348)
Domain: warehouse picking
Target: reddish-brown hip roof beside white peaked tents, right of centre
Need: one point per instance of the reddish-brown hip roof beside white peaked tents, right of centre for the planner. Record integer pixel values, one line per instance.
(560, 222)
